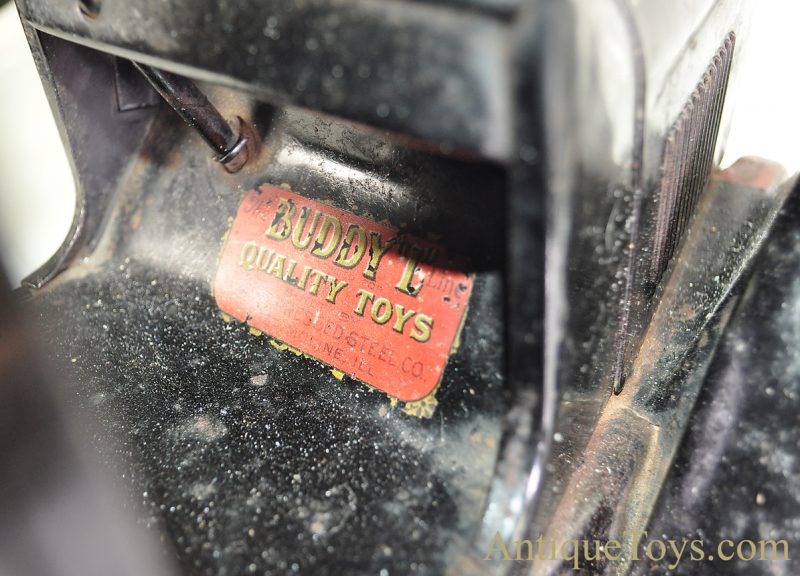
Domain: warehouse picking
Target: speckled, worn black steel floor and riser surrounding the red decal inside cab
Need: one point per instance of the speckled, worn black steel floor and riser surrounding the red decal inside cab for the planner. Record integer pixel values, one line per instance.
(253, 458)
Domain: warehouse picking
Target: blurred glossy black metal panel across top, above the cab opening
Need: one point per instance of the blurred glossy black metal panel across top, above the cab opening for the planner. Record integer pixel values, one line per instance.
(435, 72)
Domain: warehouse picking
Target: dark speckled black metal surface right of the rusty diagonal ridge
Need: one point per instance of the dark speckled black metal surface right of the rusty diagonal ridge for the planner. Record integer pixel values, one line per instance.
(735, 476)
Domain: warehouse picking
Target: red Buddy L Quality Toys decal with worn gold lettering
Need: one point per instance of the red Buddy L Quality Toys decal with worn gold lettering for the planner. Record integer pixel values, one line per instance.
(379, 305)
